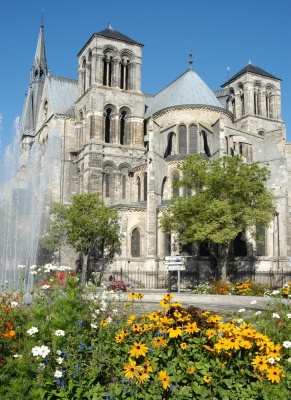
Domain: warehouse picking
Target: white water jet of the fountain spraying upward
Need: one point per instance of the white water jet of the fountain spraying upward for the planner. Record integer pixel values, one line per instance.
(23, 197)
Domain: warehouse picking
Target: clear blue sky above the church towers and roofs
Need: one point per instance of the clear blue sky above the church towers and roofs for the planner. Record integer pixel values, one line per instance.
(222, 34)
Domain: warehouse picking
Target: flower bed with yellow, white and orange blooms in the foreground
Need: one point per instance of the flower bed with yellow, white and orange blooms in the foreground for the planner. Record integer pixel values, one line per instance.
(72, 343)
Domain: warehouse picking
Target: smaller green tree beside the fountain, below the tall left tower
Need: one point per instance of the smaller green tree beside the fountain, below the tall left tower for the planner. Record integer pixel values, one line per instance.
(86, 225)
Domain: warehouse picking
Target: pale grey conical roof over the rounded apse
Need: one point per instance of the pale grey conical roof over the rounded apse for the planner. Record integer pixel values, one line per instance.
(187, 90)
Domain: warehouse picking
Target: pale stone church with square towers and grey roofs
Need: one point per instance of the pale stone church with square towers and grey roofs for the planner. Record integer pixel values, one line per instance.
(114, 139)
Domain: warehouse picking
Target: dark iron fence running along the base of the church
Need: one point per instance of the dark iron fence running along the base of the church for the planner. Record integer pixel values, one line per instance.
(139, 279)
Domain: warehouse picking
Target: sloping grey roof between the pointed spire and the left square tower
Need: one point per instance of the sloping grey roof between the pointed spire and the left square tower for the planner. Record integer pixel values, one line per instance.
(62, 94)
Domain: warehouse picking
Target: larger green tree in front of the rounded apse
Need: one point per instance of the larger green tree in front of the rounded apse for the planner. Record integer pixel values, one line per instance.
(228, 197)
